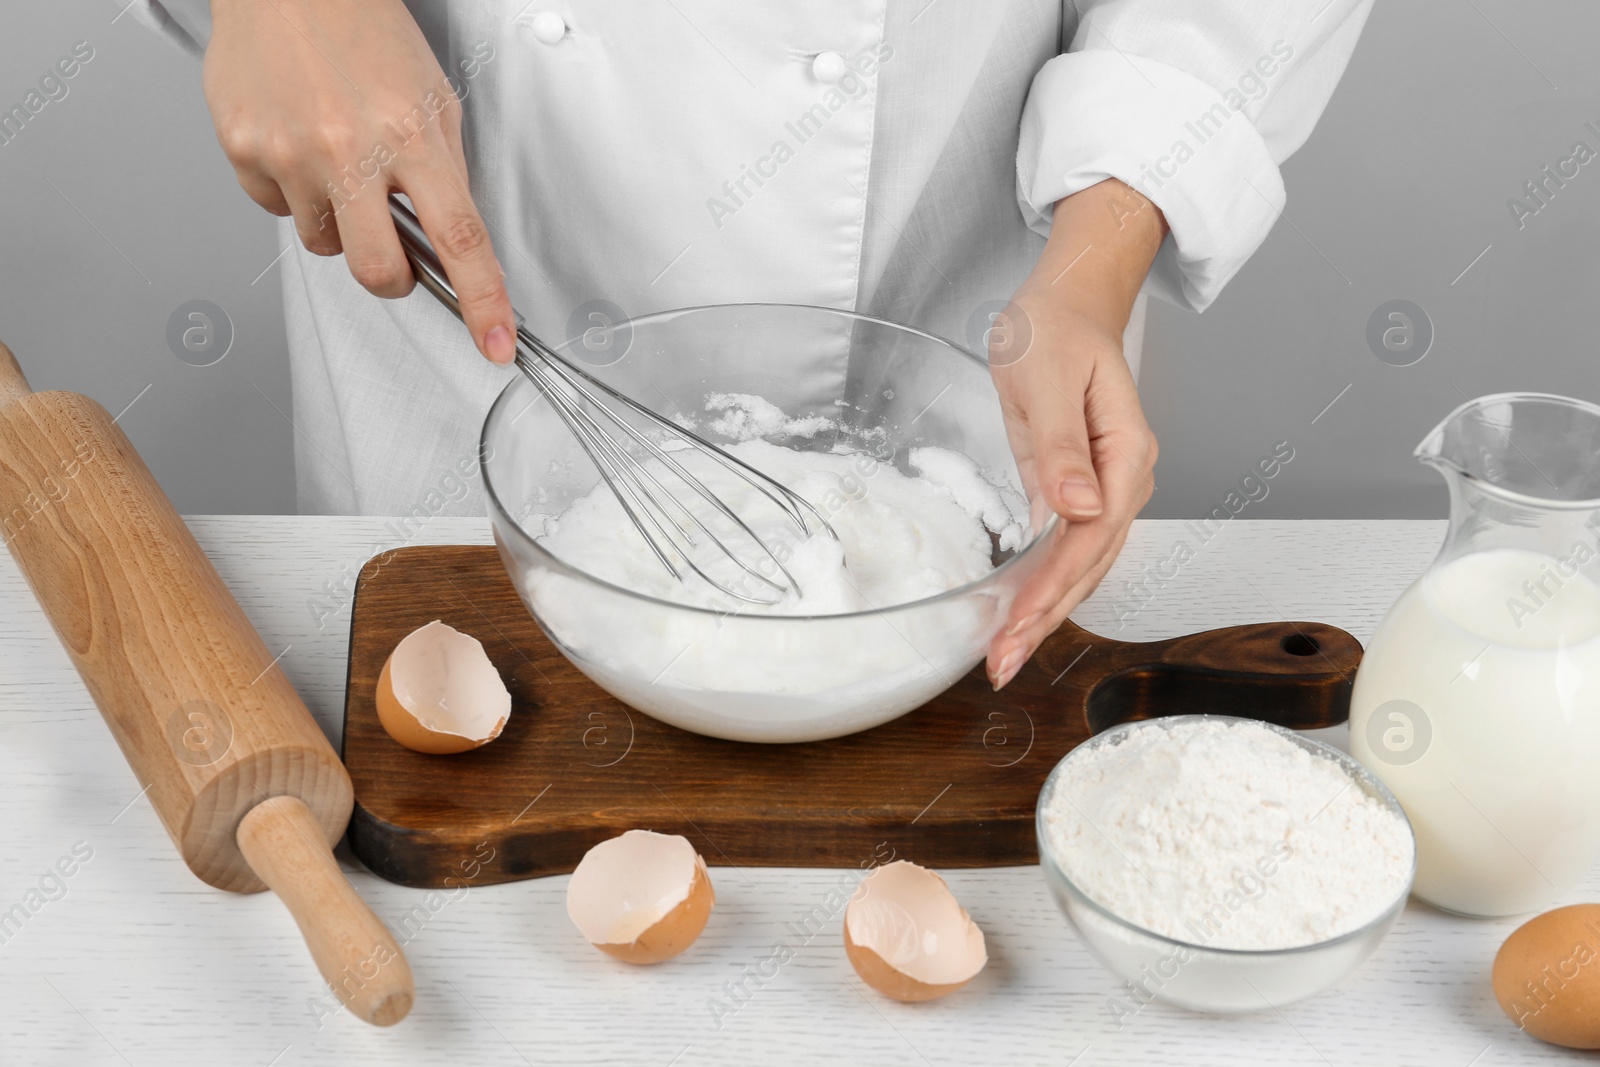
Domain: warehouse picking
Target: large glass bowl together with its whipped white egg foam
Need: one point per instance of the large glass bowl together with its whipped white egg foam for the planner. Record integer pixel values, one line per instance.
(892, 434)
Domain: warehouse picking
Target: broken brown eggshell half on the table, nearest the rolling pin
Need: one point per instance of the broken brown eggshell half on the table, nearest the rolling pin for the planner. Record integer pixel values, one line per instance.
(642, 897)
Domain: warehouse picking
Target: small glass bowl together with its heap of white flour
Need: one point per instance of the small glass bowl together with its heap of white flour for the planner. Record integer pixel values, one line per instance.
(1222, 865)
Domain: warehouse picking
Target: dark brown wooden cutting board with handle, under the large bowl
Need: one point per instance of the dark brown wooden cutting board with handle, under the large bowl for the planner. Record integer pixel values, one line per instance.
(951, 785)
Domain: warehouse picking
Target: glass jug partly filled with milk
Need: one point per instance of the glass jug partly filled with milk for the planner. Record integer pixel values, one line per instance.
(1479, 698)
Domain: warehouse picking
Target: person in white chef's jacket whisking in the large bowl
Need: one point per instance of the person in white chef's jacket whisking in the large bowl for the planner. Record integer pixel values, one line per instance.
(919, 161)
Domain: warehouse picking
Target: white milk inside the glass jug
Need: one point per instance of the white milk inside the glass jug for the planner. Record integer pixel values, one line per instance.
(1495, 754)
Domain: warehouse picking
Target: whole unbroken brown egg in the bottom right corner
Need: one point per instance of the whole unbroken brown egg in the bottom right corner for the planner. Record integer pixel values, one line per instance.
(1548, 977)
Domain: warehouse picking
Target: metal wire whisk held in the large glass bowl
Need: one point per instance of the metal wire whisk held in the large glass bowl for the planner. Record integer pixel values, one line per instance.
(665, 518)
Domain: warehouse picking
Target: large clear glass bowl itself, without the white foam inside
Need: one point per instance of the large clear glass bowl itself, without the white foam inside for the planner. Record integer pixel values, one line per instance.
(753, 677)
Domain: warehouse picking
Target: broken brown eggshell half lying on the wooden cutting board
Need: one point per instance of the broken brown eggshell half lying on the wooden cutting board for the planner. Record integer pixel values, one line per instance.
(439, 693)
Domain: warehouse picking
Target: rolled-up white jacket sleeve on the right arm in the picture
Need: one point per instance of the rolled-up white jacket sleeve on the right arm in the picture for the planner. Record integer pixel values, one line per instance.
(1194, 105)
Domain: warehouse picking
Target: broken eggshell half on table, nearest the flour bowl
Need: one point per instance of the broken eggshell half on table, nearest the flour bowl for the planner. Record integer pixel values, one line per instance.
(908, 938)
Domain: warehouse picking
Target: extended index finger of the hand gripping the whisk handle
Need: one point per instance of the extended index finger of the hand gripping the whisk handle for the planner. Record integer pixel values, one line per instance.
(463, 244)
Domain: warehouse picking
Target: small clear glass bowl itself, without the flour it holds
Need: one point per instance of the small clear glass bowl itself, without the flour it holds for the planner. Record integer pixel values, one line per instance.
(1191, 975)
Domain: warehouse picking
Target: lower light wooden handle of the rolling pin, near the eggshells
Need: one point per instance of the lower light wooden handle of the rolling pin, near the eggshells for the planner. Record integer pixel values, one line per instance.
(353, 949)
